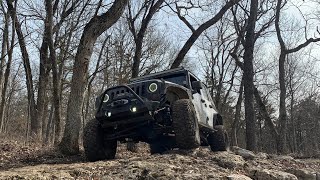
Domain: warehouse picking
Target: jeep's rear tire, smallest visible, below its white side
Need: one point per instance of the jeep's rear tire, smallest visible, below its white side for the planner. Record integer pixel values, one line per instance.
(218, 140)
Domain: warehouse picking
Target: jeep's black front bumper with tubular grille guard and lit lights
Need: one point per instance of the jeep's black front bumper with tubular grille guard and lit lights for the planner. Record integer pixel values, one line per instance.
(125, 107)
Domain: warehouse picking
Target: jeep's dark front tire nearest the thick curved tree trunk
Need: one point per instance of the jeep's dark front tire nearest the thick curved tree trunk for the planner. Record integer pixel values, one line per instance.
(95, 147)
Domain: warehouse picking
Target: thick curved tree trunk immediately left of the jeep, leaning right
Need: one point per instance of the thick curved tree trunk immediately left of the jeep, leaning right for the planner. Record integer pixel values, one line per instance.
(96, 26)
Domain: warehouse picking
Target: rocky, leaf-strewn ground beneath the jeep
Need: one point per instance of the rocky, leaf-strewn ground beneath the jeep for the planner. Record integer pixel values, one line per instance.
(32, 162)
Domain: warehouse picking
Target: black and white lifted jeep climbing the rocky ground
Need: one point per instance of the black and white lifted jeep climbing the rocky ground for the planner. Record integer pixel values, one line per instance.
(169, 109)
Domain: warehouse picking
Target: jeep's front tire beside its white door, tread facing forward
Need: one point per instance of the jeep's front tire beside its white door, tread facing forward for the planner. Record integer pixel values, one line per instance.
(185, 124)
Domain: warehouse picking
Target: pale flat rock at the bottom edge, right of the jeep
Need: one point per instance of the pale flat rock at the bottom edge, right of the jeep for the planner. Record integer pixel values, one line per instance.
(266, 174)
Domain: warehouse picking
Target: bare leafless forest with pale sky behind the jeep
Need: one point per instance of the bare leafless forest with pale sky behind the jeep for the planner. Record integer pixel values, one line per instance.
(259, 58)
